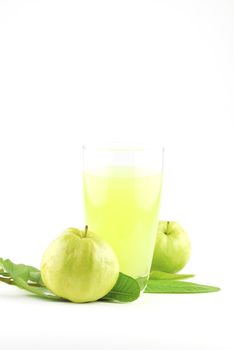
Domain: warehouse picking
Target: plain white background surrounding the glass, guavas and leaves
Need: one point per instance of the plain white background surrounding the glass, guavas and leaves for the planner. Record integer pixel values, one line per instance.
(162, 72)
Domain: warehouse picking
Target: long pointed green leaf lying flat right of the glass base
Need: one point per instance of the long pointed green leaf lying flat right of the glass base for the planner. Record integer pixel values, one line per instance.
(167, 286)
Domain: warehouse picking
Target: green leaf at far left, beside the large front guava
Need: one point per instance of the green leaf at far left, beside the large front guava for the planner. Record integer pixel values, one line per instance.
(26, 277)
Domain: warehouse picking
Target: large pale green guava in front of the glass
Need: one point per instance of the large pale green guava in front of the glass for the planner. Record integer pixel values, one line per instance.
(79, 266)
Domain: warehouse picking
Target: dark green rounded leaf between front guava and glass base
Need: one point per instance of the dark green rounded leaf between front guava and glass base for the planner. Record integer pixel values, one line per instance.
(126, 289)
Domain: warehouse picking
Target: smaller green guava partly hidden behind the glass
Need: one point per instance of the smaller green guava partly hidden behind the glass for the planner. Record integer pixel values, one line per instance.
(172, 248)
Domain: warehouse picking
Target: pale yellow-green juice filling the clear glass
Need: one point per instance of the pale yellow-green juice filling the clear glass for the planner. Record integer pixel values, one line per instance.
(122, 206)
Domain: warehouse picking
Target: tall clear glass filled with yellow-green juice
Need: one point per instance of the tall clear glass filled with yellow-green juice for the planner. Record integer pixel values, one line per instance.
(122, 188)
